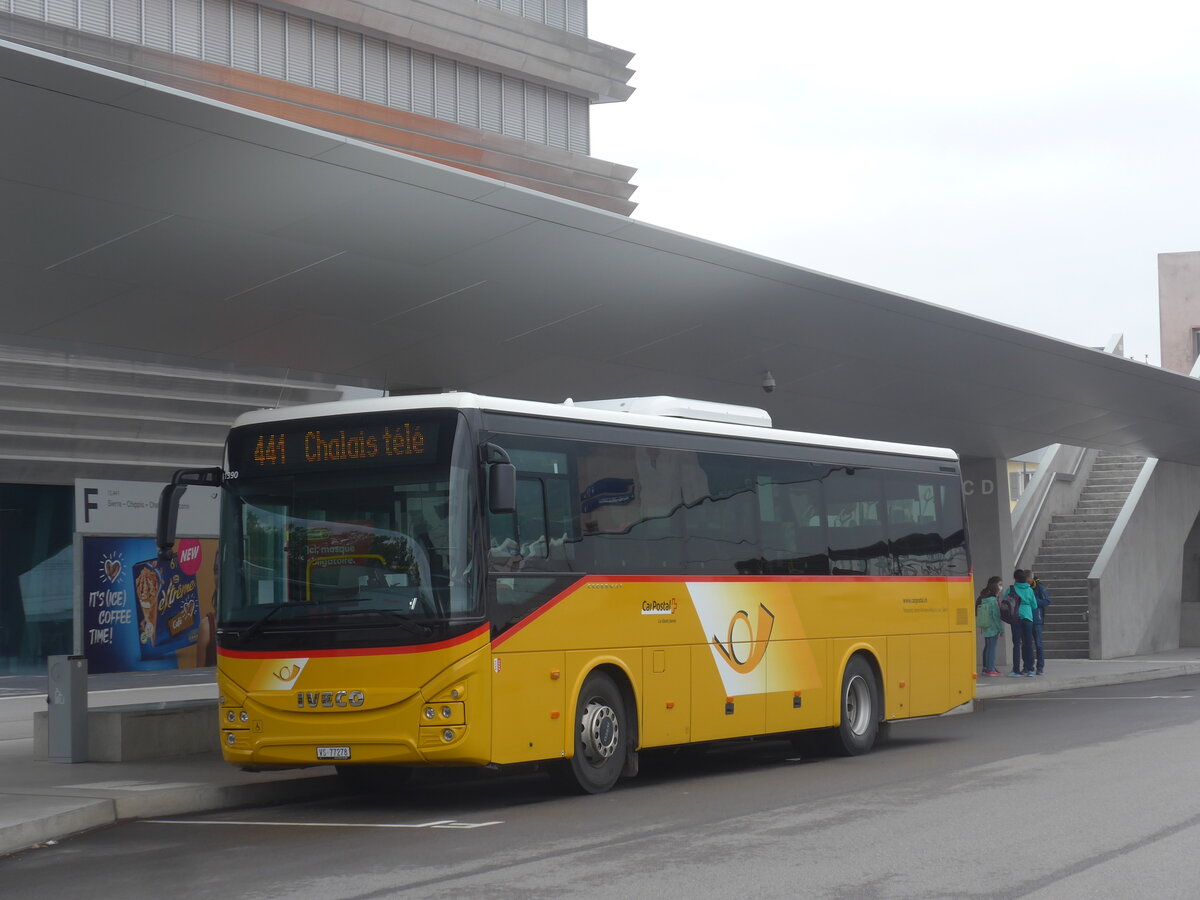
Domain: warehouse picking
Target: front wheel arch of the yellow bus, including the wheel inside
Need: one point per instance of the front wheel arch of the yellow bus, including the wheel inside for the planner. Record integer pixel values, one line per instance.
(604, 731)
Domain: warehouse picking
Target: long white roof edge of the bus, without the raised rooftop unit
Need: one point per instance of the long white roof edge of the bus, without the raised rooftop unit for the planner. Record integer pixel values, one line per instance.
(581, 412)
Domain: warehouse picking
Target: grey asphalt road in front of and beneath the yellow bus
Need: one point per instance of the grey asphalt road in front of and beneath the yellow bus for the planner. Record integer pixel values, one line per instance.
(1088, 794)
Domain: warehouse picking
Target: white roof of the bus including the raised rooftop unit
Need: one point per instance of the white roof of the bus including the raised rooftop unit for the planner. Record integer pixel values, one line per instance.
(610, 412)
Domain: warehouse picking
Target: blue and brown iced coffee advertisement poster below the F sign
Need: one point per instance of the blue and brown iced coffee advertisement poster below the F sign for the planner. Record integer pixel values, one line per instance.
(141, 614)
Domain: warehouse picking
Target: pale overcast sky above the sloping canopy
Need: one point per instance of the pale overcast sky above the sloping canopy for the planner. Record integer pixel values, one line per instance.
(1024, 161)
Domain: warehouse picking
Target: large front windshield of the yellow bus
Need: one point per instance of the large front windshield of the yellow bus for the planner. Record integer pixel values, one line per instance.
(363, 555)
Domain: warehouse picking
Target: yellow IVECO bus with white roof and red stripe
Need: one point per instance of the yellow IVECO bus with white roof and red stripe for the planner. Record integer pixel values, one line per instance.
(458, 580)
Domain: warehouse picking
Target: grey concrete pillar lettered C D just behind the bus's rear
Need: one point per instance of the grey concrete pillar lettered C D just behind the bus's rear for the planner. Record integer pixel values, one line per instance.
(991, 529)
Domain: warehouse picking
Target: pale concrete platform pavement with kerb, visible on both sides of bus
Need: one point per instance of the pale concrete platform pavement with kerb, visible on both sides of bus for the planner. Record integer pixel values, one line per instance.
(44, 802)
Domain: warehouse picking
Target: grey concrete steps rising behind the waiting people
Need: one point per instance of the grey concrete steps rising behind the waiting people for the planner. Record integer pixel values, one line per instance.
(1071, 548)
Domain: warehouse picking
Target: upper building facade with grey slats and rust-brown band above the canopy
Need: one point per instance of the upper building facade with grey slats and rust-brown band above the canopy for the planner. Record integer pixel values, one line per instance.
(501, 88)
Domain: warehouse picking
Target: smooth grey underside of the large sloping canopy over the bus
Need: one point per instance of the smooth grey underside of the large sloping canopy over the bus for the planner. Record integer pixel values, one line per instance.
(135, 217)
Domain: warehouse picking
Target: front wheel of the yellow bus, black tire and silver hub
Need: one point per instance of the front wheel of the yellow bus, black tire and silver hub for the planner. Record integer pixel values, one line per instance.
(602, 736)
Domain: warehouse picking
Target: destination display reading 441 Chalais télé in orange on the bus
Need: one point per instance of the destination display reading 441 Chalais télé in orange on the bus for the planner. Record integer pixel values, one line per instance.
(313, 446)
